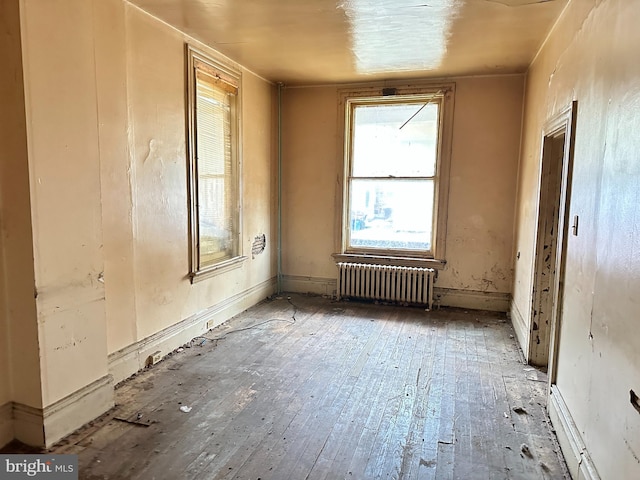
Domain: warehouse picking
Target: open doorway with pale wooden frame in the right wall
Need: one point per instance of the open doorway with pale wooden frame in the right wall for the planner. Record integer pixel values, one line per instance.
(553, 209)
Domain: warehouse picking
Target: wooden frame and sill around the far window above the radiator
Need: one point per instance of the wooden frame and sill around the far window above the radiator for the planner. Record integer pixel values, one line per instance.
(438, 257)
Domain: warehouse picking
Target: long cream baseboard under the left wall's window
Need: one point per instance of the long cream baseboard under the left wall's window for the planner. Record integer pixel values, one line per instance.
(129, 360)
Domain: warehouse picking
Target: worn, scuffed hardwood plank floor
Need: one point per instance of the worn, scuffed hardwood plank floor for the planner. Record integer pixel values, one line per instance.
(306, 388)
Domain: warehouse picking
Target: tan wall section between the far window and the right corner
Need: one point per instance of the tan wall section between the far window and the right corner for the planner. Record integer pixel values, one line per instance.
(486, 142)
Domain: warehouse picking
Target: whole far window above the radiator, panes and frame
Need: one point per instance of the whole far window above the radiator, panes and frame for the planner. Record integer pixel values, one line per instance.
(396, 173)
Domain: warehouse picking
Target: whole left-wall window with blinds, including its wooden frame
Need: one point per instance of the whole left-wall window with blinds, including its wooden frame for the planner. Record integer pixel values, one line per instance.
(214, 189)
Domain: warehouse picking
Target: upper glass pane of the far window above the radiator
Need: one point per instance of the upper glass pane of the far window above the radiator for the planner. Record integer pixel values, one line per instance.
(381, 148)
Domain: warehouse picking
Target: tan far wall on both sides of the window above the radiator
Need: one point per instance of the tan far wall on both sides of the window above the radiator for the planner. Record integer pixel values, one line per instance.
(486, 141)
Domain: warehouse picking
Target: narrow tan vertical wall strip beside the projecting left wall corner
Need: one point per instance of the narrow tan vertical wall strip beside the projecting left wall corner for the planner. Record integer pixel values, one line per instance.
(117, 179)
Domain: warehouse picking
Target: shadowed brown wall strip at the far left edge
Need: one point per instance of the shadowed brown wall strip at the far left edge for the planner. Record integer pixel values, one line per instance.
(19, 358)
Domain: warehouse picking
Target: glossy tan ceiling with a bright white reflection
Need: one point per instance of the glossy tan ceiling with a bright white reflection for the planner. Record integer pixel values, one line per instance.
(329, 41)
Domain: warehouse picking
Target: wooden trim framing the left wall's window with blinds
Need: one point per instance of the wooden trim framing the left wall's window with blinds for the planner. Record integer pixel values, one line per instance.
(226, 74)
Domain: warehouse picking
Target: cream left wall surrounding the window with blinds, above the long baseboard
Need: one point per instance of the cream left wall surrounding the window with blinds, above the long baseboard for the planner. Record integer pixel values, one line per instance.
(147, 244)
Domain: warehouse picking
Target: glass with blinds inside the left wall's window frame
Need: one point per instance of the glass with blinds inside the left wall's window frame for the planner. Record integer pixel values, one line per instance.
(215, 181)
